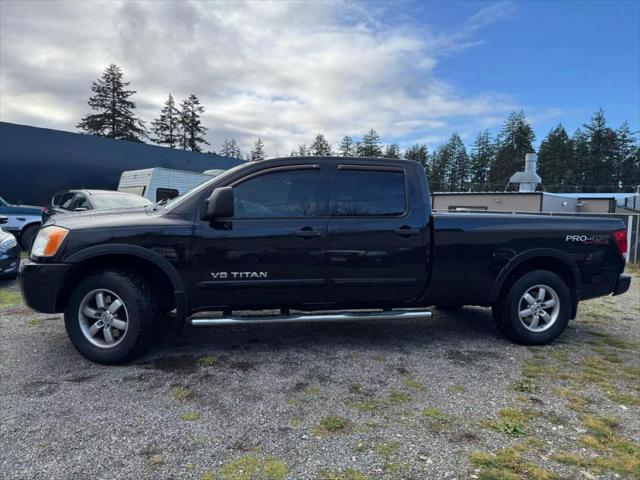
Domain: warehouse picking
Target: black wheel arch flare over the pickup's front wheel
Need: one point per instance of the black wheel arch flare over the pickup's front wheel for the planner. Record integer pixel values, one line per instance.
(162, 275)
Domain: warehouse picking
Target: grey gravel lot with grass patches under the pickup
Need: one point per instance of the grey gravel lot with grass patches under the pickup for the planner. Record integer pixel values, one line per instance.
(439, 398)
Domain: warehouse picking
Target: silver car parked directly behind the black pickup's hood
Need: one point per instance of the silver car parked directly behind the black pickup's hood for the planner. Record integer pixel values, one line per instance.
(70, 201)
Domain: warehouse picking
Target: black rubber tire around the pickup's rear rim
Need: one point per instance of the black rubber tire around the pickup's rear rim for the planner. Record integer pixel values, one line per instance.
(506, 310)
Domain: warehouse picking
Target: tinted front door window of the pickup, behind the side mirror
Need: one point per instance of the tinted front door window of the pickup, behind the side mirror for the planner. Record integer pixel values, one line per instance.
(286, 194)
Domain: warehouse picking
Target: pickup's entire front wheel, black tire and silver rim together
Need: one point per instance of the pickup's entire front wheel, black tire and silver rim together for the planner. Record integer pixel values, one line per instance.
(110, 317)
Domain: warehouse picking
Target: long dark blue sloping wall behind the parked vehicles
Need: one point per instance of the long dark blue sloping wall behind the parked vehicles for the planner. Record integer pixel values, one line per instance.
(37, 162)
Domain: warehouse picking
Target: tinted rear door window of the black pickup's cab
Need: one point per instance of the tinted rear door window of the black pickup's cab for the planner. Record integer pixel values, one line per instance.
(367, 192)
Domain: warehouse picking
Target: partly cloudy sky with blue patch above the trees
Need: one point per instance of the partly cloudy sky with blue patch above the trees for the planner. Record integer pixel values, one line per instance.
(285, 70)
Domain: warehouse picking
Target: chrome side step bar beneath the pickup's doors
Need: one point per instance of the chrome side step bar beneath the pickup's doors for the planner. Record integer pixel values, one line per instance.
(319, 317)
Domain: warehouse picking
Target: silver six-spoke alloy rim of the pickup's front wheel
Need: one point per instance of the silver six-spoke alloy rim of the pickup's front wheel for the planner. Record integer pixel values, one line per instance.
(103, 318)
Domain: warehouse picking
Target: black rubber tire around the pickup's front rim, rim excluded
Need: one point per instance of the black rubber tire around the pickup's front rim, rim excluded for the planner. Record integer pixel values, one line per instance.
(141, 310)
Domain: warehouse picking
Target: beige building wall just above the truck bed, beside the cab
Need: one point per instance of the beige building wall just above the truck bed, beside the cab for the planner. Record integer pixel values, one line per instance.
(499, 201)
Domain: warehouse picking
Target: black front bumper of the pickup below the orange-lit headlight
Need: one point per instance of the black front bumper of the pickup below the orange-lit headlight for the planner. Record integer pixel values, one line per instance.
(40, 284)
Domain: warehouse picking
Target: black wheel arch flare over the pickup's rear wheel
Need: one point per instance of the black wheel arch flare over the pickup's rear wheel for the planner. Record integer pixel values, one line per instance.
(542, 259)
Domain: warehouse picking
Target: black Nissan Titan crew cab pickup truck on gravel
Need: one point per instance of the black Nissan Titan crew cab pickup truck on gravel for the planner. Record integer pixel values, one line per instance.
(355, 236)
